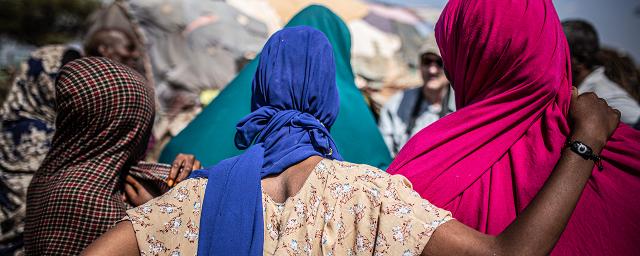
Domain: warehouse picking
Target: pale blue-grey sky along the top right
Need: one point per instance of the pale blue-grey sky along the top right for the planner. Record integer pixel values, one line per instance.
(617, 21)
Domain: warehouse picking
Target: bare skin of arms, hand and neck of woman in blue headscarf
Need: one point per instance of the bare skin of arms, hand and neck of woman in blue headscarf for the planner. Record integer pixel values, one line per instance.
(534, 232)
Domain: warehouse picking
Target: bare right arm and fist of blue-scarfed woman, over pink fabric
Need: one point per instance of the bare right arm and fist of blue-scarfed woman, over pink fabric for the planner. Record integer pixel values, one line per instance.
(538, 228)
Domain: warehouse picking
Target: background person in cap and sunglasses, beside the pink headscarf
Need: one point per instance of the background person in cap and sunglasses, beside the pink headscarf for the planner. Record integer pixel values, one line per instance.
(407, 112)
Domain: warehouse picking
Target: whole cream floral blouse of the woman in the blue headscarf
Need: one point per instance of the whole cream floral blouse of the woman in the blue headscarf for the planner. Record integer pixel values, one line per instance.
(343, 209)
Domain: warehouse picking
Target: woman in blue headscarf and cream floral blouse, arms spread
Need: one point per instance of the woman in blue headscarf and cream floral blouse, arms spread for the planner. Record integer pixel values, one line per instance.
(290, 193)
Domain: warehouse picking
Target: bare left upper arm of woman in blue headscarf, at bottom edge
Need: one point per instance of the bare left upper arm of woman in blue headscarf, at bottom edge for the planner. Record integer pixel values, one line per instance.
(120, 240)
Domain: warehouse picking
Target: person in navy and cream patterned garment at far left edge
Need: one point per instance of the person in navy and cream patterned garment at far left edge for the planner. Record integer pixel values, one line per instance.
(26, 128)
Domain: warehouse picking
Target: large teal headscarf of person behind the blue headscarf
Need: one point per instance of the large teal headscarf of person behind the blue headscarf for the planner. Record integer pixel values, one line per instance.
(210, 136)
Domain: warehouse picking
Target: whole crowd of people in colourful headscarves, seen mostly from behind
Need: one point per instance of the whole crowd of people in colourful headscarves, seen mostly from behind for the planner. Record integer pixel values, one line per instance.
(522, 139)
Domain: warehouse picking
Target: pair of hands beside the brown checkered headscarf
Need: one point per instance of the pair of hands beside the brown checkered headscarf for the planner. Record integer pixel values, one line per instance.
(137, 193)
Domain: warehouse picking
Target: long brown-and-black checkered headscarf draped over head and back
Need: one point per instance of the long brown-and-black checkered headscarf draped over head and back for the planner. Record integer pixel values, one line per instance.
(104, 119)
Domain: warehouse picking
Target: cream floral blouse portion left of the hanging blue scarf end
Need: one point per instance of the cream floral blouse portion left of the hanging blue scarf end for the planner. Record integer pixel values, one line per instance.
(169, 224)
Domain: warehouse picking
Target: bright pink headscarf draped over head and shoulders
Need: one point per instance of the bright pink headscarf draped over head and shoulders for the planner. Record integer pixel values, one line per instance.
(510, 67)
